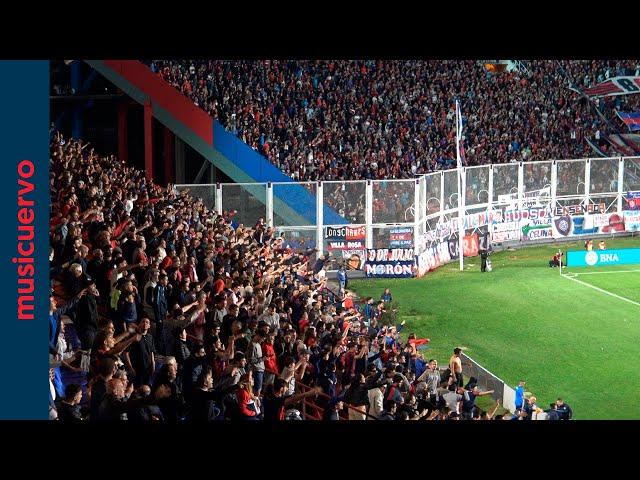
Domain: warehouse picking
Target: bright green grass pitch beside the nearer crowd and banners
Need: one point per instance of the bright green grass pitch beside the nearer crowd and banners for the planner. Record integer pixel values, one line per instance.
(524, 320)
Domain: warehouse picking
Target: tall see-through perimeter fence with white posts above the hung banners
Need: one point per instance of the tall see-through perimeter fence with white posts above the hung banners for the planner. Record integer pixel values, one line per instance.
(425, 201)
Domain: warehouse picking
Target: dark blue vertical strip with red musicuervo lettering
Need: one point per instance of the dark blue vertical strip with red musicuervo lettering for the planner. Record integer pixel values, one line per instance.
(24, 135)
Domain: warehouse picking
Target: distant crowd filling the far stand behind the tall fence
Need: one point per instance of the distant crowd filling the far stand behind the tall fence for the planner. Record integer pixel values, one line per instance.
(348, 120)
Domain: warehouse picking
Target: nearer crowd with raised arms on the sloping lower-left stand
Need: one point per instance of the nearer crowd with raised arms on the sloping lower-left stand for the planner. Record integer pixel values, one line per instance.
(162, 310)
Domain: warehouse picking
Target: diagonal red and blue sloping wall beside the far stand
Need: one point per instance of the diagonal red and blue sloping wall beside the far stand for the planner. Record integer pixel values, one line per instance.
(294, 204)
